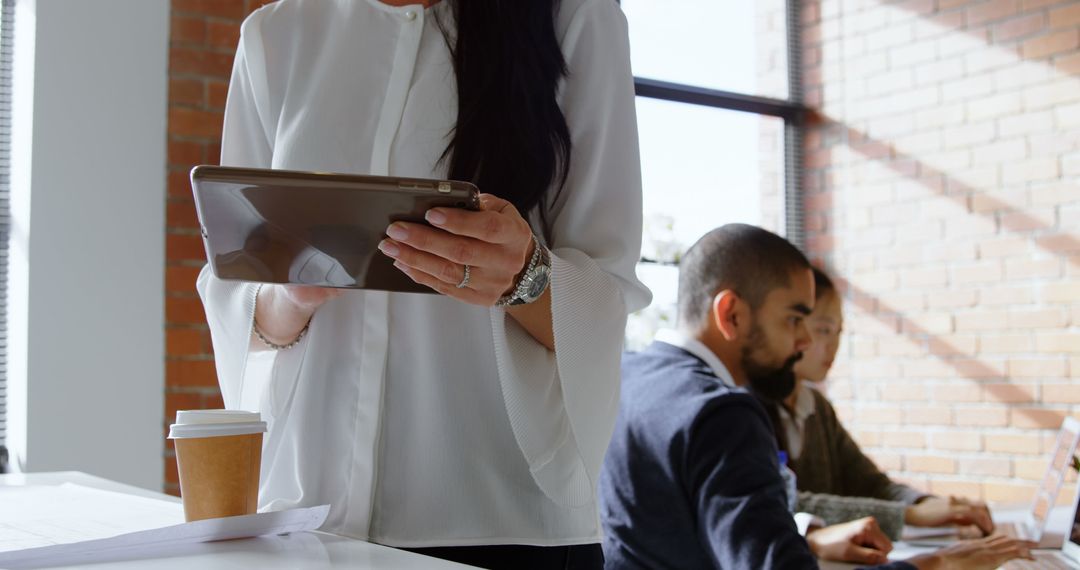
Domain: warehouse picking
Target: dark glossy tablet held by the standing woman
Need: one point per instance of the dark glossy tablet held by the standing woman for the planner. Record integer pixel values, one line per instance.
(307, 228)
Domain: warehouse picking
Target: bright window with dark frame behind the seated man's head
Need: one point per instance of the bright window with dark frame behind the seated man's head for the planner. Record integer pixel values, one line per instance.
(720, 116)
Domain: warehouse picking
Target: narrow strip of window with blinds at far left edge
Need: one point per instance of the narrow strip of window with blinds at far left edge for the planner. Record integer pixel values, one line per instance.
(7, 19)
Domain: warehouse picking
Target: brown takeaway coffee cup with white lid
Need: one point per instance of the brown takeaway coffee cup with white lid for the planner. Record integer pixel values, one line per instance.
(218, 456)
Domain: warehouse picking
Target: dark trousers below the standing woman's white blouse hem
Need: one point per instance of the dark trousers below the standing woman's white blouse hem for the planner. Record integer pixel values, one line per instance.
(517, 558)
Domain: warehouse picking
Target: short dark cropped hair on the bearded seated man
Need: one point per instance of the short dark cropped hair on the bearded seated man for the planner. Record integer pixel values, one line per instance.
(747, 260)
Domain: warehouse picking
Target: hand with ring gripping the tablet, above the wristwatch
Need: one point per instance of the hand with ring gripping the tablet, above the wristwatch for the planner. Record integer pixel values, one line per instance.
(495, 242)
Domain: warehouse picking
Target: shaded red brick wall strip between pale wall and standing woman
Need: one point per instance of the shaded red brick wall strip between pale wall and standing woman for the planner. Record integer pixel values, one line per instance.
(204, 40)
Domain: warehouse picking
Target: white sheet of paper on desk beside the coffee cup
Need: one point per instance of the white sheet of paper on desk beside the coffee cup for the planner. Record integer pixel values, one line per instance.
(53, 525)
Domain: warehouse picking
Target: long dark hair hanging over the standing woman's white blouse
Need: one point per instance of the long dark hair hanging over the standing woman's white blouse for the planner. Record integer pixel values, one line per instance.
(511, 139)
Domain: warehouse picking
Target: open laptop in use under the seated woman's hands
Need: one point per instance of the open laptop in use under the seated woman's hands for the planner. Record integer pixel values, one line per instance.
(1034, 522)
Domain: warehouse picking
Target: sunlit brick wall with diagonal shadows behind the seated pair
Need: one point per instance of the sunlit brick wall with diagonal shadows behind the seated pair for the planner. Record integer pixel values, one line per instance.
(944, 189)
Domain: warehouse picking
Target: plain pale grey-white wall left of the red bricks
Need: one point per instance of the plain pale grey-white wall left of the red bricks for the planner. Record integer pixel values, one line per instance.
(87, 338)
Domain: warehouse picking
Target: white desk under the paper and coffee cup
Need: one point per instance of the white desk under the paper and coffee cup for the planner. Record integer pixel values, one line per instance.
(304, 550)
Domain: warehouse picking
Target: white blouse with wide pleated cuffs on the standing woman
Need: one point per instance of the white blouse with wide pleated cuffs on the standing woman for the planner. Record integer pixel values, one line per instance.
(423, 420)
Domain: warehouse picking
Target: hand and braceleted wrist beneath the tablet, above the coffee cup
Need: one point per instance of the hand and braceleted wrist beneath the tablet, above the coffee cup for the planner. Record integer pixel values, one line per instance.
(282, 311)
